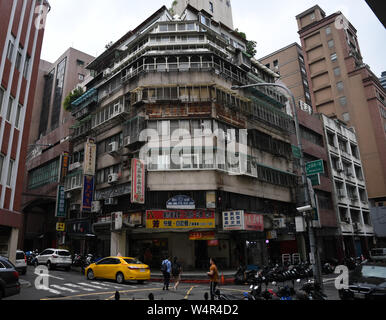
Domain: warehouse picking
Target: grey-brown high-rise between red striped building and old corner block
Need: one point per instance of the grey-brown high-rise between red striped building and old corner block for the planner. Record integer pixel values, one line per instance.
(49, 141)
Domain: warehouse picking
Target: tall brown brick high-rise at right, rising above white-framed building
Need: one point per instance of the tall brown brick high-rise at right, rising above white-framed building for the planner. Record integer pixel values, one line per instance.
(342, 86)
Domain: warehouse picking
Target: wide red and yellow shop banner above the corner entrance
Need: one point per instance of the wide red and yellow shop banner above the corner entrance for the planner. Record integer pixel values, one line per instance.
(180, 219)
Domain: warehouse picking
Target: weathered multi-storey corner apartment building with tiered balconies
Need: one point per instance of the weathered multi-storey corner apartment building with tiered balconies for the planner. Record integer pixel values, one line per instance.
(171, 73)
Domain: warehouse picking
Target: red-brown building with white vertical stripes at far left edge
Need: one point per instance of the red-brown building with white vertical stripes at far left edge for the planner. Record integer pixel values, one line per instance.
(21, 36)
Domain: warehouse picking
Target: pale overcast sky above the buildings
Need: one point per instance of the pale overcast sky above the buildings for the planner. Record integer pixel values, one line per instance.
(88, 25)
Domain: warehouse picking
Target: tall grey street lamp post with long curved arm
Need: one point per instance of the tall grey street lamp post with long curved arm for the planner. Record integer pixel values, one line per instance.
(311, 234)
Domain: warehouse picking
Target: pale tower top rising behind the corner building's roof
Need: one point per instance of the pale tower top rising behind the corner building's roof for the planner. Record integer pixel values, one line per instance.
(220, 10)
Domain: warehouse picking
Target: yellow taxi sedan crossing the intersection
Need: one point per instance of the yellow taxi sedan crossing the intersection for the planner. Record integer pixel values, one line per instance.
(119, 269)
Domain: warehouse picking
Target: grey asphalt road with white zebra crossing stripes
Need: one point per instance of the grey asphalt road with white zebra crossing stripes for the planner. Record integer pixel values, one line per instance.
(72, 285)
